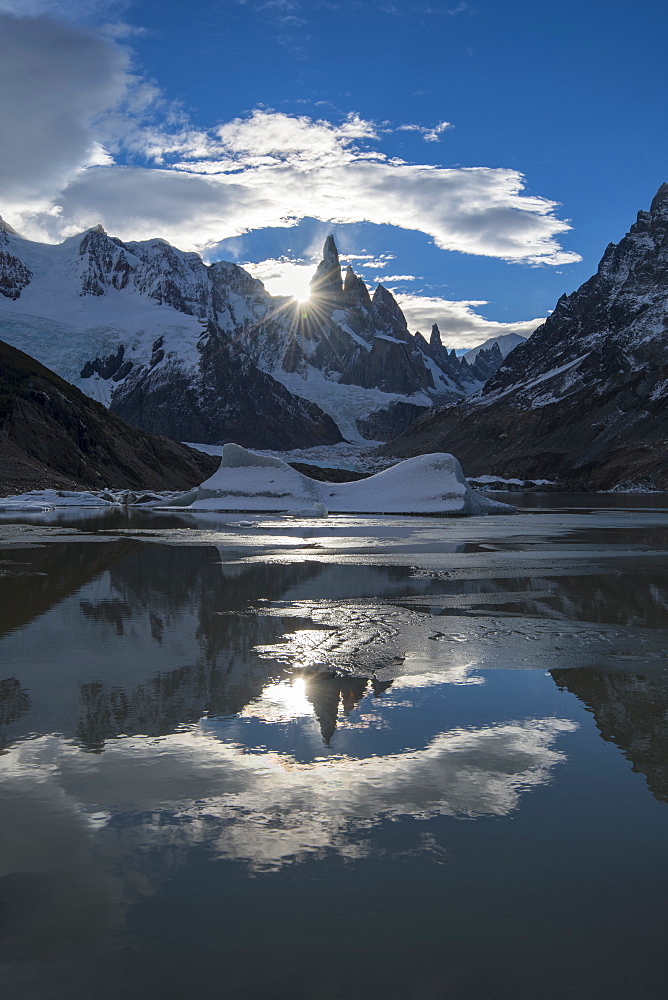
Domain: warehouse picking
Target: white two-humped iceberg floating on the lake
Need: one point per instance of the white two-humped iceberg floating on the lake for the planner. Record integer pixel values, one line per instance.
(428, 484)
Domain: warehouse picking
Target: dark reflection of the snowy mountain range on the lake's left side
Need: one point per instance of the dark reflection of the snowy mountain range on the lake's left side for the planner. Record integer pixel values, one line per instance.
(160, 636)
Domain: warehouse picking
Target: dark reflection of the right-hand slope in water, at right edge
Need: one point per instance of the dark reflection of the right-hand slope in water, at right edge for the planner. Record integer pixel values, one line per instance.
(631, 711)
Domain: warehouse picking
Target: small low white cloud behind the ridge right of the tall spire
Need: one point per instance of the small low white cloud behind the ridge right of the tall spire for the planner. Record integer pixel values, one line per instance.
(460, 323)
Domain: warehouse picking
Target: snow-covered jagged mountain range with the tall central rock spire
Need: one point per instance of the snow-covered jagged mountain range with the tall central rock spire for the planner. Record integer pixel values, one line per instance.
(204, 353)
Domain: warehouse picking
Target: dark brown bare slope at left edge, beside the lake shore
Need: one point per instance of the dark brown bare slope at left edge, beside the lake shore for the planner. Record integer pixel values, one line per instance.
(52, 435)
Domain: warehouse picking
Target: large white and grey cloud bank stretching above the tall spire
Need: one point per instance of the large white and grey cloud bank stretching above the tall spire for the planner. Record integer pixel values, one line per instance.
(195, 187)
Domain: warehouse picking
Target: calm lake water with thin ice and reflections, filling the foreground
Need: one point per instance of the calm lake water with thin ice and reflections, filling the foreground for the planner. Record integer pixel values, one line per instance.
(478, 811)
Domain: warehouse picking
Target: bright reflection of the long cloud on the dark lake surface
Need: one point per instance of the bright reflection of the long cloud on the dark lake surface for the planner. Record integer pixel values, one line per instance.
(266, 809)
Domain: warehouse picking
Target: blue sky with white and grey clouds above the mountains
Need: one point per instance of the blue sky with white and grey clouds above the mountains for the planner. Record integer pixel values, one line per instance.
(475, 156)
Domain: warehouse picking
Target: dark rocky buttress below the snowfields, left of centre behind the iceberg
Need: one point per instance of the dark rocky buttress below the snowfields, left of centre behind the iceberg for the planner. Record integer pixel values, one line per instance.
(227, 399)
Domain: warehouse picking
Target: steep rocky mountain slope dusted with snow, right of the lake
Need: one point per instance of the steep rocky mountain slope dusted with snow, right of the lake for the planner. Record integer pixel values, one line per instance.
(584, 400)
